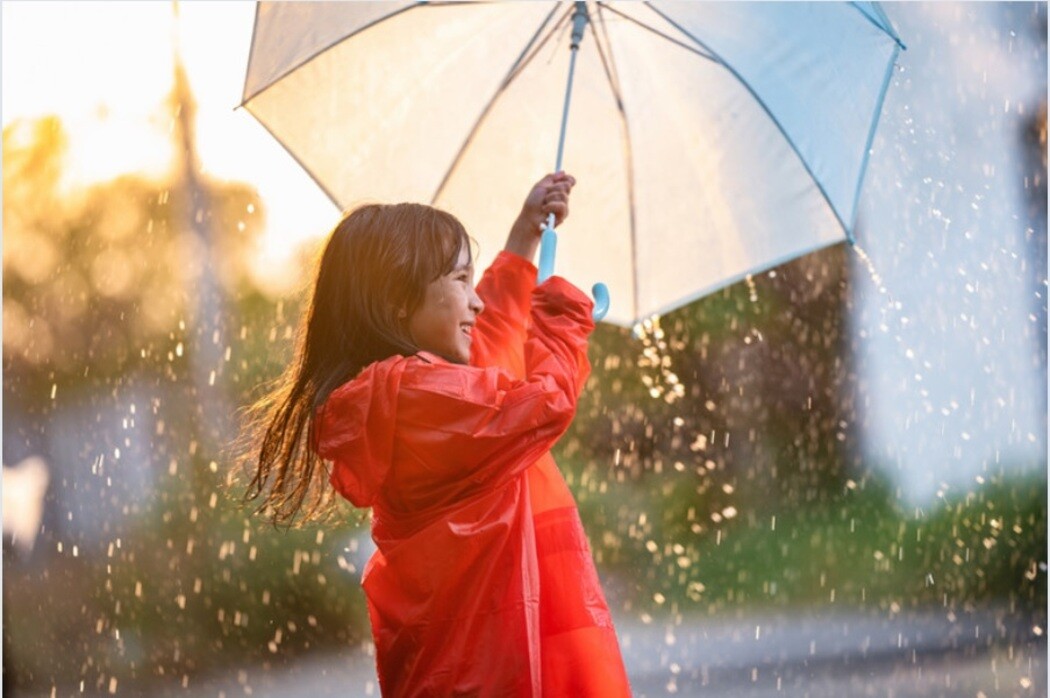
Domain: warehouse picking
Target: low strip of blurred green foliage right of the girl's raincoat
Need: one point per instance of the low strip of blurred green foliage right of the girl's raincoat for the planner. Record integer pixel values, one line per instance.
(858, 548)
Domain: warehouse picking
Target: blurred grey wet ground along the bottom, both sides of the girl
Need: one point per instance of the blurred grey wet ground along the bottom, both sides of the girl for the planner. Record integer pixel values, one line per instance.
(988, 653)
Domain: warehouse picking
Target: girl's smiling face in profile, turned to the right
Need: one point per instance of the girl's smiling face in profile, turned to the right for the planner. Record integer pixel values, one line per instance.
(444, 323)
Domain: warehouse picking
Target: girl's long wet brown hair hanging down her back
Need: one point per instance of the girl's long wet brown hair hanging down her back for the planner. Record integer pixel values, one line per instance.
(377, 262)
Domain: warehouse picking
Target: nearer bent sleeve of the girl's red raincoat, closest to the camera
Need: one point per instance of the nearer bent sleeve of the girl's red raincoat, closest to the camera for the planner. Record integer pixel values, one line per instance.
(484, 425)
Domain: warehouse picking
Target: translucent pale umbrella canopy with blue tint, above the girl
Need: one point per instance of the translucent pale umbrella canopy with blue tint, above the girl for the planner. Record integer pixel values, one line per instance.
(710, 140)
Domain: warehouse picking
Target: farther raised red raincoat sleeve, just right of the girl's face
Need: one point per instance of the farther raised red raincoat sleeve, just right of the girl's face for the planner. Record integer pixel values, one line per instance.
(500, 333)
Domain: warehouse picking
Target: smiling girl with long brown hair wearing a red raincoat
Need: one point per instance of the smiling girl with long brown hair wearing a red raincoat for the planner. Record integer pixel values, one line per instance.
(436, 405)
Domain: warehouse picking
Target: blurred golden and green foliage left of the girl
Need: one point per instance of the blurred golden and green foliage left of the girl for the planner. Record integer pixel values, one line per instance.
(98, 301)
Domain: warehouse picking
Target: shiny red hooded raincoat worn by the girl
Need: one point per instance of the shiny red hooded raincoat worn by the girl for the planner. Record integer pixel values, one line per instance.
(484, 583)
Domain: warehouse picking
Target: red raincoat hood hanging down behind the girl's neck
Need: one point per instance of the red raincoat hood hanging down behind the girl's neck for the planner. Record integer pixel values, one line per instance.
(355, 428)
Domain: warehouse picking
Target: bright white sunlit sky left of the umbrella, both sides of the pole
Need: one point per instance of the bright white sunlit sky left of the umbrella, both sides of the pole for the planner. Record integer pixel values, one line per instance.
(106, 70)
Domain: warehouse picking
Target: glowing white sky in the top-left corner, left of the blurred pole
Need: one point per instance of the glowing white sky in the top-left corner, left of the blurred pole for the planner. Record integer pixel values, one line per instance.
(109, 94)
